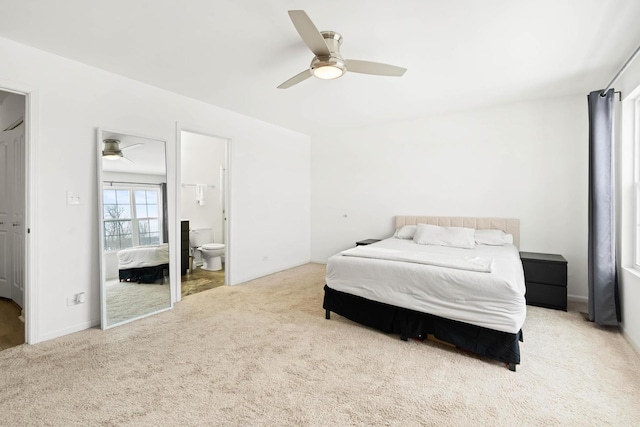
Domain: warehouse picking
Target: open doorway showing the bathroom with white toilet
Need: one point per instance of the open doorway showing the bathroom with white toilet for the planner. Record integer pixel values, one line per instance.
(203, 210)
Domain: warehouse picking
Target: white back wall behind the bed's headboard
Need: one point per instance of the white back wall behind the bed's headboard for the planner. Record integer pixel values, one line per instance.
(526, 161)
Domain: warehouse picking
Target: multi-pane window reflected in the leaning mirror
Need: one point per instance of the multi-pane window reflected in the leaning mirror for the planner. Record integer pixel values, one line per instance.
(132, 217)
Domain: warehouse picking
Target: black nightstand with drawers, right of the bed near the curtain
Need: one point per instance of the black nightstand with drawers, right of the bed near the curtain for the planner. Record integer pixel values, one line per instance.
(545, 276)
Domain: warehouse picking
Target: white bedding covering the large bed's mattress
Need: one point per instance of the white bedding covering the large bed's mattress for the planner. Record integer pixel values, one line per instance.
(493, 300)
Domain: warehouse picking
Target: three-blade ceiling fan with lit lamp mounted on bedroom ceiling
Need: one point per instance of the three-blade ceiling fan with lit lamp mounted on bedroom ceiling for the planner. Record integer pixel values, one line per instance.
(328, 63)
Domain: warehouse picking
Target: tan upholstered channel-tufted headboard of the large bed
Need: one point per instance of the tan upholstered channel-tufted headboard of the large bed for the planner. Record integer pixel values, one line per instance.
(508, 225)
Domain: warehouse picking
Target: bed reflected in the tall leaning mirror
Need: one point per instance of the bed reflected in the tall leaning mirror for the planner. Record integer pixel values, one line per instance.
(144, 264)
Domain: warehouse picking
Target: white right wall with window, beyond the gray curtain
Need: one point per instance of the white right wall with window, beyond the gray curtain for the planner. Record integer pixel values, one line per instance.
(629, 278)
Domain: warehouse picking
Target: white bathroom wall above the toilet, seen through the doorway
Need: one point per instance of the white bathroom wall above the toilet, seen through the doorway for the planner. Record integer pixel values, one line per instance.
(201, 160)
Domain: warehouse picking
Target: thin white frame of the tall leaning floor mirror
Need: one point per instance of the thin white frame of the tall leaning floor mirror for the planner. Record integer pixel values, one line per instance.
(171, 244)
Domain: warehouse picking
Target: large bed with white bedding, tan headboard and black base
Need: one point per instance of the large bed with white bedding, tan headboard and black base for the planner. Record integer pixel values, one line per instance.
(471, 297)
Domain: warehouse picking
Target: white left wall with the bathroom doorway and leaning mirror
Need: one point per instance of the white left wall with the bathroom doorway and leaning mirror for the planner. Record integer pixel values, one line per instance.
(269, 180)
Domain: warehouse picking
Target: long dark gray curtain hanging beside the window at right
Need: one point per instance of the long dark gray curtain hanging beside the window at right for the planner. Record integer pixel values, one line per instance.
(604, 308)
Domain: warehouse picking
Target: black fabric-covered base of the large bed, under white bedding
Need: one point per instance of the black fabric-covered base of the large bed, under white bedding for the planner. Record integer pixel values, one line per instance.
(502, 346)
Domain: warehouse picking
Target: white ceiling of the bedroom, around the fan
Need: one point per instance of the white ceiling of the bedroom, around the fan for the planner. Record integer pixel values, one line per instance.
(460, 54)
